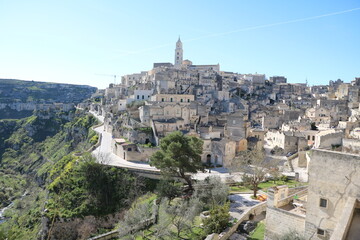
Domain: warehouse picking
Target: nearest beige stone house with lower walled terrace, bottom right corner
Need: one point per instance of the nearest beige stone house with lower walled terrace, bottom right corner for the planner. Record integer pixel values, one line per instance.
(328, 209)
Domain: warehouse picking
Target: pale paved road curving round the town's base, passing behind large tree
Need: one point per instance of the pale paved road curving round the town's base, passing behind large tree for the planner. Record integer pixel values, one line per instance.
(104, 155)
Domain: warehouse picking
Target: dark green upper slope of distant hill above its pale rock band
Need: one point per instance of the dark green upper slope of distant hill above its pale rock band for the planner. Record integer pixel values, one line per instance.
(19, 91)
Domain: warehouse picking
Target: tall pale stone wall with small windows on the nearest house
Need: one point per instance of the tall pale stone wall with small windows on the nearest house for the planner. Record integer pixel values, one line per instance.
(333, 176)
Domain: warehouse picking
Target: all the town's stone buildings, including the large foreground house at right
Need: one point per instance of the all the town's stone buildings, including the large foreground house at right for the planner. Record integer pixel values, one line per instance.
(314, 132)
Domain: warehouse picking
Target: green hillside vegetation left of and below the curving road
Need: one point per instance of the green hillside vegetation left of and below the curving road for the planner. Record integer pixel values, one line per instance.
(46, 181)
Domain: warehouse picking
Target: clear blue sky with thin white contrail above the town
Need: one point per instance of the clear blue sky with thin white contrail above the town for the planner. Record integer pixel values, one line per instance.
(89, 41)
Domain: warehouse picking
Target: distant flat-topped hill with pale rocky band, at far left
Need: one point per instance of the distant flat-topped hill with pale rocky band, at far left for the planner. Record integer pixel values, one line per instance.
(19, 98)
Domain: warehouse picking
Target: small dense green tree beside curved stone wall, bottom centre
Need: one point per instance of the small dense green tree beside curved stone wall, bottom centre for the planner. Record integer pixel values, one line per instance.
(218, 220)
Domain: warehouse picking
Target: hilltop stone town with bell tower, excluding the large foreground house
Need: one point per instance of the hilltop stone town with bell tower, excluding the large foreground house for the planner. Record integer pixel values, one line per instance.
(231, 112)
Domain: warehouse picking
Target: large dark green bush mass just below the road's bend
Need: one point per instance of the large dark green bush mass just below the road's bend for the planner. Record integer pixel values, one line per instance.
(86, 187)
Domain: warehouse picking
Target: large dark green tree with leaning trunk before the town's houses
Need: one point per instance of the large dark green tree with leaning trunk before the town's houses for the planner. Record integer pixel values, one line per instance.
(179, 155)
